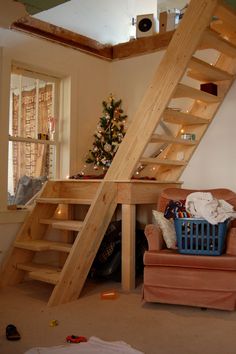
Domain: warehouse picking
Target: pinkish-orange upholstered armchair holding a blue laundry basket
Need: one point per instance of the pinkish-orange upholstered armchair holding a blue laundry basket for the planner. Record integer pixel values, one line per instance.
(174, 278)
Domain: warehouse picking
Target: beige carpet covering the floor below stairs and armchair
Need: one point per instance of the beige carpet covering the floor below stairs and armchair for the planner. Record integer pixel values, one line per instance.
(151, 328)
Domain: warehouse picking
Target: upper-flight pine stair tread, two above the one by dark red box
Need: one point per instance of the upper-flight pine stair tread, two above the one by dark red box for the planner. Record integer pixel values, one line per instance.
(211, 39)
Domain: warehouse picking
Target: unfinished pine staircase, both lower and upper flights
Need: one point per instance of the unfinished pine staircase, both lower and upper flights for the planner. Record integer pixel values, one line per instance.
(178, 77)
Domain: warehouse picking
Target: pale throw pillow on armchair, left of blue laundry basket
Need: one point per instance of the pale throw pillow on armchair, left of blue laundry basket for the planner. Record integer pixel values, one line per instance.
(167, 227)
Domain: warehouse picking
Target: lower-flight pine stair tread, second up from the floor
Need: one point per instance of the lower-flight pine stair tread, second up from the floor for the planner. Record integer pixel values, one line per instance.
(43, 245)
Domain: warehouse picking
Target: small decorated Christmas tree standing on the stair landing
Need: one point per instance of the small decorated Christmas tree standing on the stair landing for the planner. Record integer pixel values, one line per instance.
(109, 134)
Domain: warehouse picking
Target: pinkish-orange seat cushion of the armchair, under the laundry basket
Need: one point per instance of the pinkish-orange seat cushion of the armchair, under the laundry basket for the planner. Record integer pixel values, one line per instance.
(171, 258)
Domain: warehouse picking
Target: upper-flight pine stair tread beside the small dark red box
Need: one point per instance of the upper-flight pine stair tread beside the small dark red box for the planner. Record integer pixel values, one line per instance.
(188, 91)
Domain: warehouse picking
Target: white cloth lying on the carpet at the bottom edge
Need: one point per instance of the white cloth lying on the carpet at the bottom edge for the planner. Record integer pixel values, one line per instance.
(93, 346)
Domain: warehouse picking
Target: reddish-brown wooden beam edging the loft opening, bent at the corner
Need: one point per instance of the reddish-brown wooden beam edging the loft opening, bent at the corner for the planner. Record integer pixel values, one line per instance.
(85, 44)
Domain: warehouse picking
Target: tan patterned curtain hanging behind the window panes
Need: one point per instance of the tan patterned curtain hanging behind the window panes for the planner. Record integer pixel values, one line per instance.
(35, 110)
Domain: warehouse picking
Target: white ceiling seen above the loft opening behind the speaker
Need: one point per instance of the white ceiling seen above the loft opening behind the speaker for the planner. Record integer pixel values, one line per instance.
(107, 21)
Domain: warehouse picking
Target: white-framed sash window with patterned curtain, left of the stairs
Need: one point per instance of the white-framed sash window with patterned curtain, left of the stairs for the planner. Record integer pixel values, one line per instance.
(33, 133)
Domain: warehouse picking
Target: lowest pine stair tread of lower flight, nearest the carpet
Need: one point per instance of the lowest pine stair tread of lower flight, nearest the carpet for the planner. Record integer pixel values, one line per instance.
(41, 272)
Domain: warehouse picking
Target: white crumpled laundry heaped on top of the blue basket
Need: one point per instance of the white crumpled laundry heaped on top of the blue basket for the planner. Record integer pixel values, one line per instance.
(203, 205)
